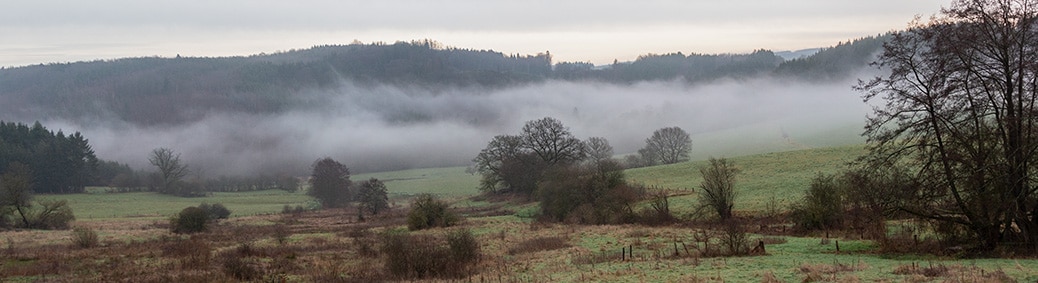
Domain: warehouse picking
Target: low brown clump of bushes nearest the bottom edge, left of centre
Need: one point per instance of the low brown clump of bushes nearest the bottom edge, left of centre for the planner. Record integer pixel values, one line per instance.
(418, 258)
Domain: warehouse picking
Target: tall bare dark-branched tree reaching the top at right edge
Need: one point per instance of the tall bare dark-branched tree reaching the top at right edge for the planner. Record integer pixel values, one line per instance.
(961, 116)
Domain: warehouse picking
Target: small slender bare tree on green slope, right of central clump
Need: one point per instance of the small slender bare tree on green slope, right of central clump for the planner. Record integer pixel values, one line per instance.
(719, 187)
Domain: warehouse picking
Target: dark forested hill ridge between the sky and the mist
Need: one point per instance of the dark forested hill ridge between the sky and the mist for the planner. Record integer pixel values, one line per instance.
(153, 91)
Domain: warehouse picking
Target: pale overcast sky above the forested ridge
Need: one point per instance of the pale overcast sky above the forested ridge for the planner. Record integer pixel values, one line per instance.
(43, 32)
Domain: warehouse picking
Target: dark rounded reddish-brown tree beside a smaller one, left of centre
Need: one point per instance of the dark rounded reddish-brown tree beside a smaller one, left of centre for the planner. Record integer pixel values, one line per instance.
(331, 183)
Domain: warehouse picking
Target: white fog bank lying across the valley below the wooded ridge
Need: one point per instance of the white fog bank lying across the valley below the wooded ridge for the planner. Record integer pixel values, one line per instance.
(387, 128)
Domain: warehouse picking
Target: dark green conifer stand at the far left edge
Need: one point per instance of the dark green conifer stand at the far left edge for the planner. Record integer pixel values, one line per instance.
(59, 163)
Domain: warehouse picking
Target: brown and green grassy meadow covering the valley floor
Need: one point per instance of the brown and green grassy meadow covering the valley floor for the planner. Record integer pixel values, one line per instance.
(334, 246)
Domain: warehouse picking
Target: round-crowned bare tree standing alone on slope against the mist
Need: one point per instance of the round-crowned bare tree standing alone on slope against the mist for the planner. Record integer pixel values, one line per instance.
(668, 146)
